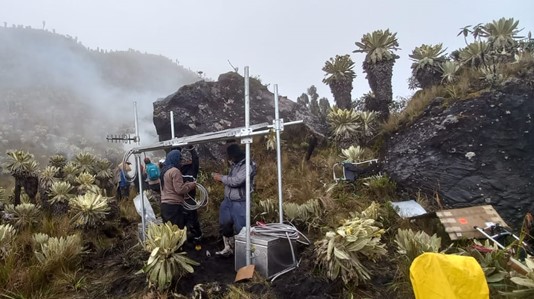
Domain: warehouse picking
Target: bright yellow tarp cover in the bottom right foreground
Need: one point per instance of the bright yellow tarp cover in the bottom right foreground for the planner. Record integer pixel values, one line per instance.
(436, 275)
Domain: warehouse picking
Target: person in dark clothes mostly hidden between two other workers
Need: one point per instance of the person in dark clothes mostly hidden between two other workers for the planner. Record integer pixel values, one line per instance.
(189, 167)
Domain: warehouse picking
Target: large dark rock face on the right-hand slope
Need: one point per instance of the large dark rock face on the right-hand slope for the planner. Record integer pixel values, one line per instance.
(477, 151)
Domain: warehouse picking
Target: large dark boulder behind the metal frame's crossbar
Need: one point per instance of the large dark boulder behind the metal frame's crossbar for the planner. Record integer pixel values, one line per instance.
(214, 106)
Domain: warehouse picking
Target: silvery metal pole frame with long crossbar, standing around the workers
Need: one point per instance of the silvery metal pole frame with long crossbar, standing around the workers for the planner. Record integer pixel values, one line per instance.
(245, 134)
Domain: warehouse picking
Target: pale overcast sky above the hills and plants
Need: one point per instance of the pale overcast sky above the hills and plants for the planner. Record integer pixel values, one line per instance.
(284, 42)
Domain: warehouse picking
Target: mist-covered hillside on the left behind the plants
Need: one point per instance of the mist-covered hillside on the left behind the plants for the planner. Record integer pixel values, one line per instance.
(59, 96)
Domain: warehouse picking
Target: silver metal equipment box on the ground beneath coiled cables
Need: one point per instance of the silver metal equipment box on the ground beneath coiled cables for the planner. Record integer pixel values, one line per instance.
(270, 255)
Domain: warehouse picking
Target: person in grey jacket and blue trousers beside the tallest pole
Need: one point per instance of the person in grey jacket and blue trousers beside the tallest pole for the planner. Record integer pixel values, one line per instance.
(232, 213)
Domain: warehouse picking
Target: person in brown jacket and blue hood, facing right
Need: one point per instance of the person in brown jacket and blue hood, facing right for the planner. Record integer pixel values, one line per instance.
(173, 190)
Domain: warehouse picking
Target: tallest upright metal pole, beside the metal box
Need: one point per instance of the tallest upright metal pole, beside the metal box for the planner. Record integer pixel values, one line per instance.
(247, 168)
